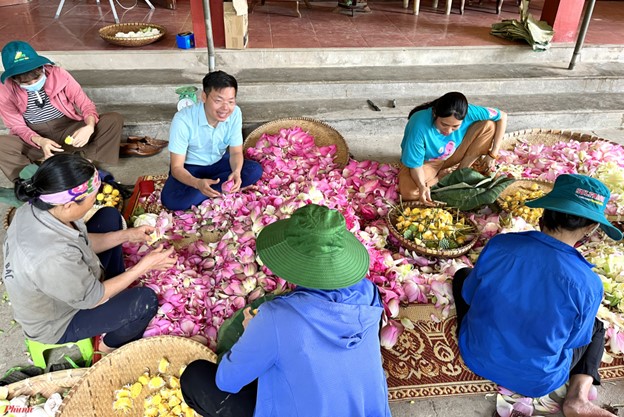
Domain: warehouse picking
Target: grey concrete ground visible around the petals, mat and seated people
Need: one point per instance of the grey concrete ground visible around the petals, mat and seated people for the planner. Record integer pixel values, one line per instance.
(12, 349)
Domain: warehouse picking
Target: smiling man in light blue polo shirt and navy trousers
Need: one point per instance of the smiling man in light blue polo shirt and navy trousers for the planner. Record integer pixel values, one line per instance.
(206, 147)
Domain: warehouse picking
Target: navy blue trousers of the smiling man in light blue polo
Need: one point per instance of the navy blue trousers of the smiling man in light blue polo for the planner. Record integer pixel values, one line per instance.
(178, 196)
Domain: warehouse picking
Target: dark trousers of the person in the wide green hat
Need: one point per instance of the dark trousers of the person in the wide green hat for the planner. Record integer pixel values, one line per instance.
(201, 393)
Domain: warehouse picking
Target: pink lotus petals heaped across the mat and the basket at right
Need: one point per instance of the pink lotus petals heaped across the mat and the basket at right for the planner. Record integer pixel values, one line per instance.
(212, 280)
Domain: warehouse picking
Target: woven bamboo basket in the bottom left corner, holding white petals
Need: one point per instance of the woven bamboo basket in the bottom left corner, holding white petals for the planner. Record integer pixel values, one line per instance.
(47, 384)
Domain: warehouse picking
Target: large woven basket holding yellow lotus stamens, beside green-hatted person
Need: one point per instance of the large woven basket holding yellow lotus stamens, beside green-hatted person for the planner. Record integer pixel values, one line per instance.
(94, 395)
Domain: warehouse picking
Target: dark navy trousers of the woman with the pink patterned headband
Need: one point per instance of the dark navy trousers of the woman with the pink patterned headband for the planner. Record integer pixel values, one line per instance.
(123, 317)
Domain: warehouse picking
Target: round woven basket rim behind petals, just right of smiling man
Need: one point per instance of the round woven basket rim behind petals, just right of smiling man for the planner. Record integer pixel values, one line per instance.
(323, 134)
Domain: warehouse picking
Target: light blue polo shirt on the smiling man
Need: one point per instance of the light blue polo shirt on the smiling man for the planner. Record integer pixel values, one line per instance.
(191, 135)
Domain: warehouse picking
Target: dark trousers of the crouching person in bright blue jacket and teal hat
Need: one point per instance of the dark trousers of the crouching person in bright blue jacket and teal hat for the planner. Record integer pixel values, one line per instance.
(585, 359)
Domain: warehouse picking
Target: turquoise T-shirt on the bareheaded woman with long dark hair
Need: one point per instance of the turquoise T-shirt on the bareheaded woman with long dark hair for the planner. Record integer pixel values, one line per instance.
(423, 142)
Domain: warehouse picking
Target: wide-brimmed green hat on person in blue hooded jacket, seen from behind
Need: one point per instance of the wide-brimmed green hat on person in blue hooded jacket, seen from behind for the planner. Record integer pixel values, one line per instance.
(314, 249)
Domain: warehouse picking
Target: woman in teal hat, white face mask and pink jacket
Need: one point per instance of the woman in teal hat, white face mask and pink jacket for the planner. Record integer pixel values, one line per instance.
(42, 105)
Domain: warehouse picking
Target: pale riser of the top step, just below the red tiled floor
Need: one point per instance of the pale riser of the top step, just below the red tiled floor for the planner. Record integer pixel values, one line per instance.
(235, 60)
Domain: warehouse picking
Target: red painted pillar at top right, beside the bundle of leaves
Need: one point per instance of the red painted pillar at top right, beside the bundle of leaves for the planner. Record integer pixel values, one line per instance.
(565, 18)
